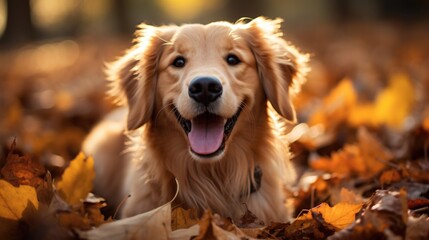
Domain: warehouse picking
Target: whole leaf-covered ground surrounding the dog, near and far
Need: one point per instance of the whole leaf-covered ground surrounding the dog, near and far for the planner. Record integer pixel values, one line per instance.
(361, 147)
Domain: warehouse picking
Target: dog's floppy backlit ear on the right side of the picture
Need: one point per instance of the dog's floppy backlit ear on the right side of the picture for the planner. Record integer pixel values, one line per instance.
(281, 67)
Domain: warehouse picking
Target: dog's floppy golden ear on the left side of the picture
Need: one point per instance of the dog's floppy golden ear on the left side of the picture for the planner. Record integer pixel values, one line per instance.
(133, 76)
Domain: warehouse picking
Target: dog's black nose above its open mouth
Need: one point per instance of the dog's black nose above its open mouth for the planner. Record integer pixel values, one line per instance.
(205, 89)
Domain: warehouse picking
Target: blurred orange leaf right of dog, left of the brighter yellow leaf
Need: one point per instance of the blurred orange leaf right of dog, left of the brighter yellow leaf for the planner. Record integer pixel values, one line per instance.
(336, 105)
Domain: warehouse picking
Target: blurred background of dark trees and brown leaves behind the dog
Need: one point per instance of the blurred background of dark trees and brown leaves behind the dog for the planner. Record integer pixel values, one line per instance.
(52, 55)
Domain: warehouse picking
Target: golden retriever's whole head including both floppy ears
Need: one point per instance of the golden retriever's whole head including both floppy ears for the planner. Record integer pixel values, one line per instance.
(204, 77)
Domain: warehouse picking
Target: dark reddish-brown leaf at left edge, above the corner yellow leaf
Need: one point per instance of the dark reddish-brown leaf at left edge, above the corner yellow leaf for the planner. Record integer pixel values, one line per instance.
(22, 170)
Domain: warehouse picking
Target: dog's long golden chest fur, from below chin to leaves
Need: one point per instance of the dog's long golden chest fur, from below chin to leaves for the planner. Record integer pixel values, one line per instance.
(224, 186)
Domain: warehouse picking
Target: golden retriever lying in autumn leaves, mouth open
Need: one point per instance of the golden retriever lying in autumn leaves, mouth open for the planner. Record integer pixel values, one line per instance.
(204, 104)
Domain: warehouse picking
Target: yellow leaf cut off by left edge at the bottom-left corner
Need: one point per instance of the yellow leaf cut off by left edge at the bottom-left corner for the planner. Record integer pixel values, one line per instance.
(16, 204)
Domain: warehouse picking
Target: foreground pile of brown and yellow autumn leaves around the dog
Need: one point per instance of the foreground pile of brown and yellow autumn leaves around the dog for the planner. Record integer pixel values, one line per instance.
(363, 189)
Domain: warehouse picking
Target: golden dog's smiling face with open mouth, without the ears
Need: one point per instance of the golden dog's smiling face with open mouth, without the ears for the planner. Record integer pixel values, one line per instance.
(207, 74)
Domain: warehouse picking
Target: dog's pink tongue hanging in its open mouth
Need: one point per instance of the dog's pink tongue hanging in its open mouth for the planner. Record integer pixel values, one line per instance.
(206, 134)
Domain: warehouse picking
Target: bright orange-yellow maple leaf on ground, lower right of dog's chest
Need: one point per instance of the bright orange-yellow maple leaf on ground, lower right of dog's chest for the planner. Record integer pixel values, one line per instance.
(340, 216)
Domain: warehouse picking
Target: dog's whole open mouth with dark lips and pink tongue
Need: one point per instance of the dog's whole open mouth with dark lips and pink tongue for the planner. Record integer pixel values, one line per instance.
(207, 133)
